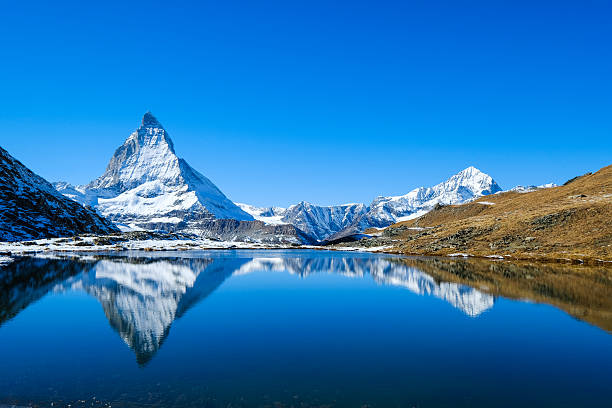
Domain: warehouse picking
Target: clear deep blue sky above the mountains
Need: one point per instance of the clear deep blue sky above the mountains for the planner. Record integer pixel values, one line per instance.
(278, 102)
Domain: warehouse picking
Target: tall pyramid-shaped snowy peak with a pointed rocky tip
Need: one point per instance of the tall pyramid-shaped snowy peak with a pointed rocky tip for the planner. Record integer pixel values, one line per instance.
(147, 186)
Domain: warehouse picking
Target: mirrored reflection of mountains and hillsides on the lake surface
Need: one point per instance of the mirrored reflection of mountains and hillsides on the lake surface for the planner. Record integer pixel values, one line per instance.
(142, 295)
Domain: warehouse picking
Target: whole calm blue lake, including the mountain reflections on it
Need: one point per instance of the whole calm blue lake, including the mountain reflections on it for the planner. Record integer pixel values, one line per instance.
(301, 329)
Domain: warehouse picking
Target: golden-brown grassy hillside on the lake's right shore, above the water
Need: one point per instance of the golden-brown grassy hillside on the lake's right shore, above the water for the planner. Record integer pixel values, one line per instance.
(571, 222)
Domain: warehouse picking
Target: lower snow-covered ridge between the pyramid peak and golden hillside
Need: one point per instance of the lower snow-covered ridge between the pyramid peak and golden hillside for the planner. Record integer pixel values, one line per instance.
(334, 222)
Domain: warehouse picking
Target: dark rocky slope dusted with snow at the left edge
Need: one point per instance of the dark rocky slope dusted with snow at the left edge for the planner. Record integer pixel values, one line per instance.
(31, 208)
